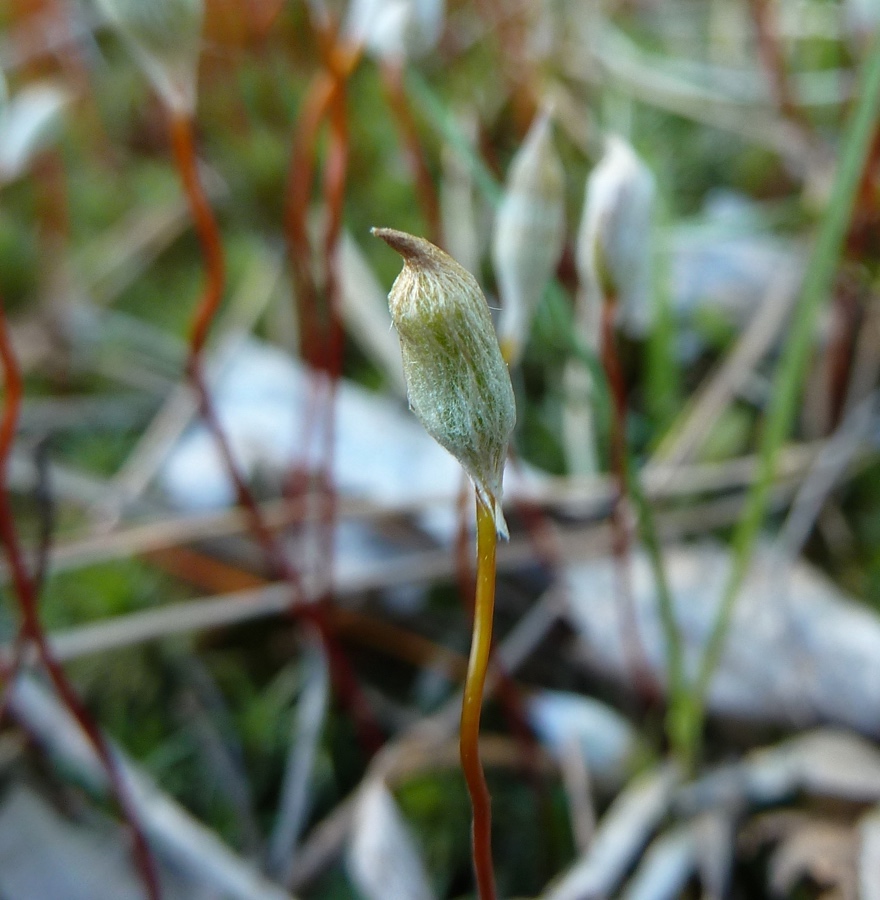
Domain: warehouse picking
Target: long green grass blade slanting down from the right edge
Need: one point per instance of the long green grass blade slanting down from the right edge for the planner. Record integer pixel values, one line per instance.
(787, 384)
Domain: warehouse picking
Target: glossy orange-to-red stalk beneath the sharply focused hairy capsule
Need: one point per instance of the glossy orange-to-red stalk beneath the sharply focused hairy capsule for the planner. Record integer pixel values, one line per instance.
(472, 704)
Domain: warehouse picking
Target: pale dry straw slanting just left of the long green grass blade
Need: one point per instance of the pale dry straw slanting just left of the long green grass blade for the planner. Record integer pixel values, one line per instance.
(687, 434)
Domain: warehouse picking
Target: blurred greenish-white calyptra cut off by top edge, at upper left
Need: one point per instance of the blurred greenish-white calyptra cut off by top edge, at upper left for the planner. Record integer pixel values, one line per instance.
(165, 38)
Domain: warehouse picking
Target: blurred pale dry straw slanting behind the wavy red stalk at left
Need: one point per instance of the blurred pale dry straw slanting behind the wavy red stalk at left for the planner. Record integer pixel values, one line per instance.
(180, 409)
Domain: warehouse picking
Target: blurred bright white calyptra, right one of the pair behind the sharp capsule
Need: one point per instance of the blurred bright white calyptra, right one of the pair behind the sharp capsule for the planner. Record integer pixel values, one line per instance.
(613, 251)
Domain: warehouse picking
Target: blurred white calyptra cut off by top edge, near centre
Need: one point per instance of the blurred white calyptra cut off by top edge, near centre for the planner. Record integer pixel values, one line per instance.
(396, 30)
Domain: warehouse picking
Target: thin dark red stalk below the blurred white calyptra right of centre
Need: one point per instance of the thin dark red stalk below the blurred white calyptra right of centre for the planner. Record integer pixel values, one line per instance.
(621, 533)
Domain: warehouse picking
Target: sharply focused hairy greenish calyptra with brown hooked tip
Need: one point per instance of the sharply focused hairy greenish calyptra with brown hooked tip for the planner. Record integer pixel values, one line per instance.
(457, 382)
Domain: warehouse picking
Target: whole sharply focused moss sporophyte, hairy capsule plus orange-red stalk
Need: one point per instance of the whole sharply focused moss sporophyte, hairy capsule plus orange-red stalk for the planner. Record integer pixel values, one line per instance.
(459, 388)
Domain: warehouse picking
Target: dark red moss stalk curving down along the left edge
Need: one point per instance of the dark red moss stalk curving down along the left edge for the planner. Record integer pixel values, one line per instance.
(31, 627)
